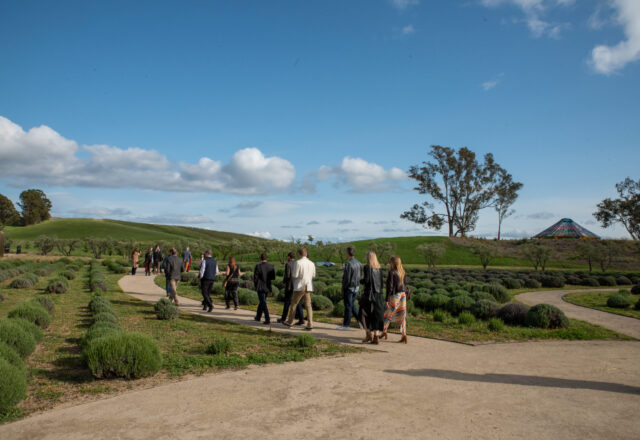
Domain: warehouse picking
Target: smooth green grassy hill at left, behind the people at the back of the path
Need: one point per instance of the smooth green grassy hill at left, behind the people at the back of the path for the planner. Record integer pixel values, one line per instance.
(118, 230)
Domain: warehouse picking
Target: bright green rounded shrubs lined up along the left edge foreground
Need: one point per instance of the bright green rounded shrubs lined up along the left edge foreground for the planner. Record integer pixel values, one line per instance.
(19, 335)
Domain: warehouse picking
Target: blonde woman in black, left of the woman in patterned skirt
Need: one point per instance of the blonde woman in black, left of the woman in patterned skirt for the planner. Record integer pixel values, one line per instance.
(371, 302)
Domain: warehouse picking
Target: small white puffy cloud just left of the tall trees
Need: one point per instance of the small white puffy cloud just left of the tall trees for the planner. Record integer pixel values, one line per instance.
(358, 175)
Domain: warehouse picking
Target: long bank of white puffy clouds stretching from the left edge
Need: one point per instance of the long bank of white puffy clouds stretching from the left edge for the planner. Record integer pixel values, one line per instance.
(44, 156)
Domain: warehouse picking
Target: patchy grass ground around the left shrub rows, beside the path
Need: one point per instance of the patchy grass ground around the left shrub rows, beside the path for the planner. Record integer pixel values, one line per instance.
(57, 373)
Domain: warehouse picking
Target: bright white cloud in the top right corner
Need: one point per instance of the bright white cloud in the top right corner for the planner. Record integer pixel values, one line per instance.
(609, 59)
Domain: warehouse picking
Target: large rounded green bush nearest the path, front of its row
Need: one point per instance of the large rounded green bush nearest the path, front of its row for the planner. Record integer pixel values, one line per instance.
(127, 355)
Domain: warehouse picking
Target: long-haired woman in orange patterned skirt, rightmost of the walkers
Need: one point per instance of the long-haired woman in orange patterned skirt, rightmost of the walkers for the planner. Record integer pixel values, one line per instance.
(396, 301)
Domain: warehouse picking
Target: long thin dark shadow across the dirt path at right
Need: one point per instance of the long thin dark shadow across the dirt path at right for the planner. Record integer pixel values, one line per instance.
(517, 379)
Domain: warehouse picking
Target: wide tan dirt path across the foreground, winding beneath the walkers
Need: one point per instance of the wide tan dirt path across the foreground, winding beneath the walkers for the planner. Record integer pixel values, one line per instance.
(427, 389)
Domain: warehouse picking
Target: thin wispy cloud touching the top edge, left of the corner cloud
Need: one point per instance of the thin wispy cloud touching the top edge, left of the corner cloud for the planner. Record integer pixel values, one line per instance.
(534, 12)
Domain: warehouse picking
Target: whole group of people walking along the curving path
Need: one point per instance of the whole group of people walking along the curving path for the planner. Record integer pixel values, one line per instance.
(375, 313)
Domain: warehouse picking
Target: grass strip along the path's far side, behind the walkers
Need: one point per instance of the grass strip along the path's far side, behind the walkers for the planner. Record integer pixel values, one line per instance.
(423, 324)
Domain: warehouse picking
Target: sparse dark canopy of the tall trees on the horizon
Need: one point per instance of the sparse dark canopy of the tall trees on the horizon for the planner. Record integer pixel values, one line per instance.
(460, 187)
